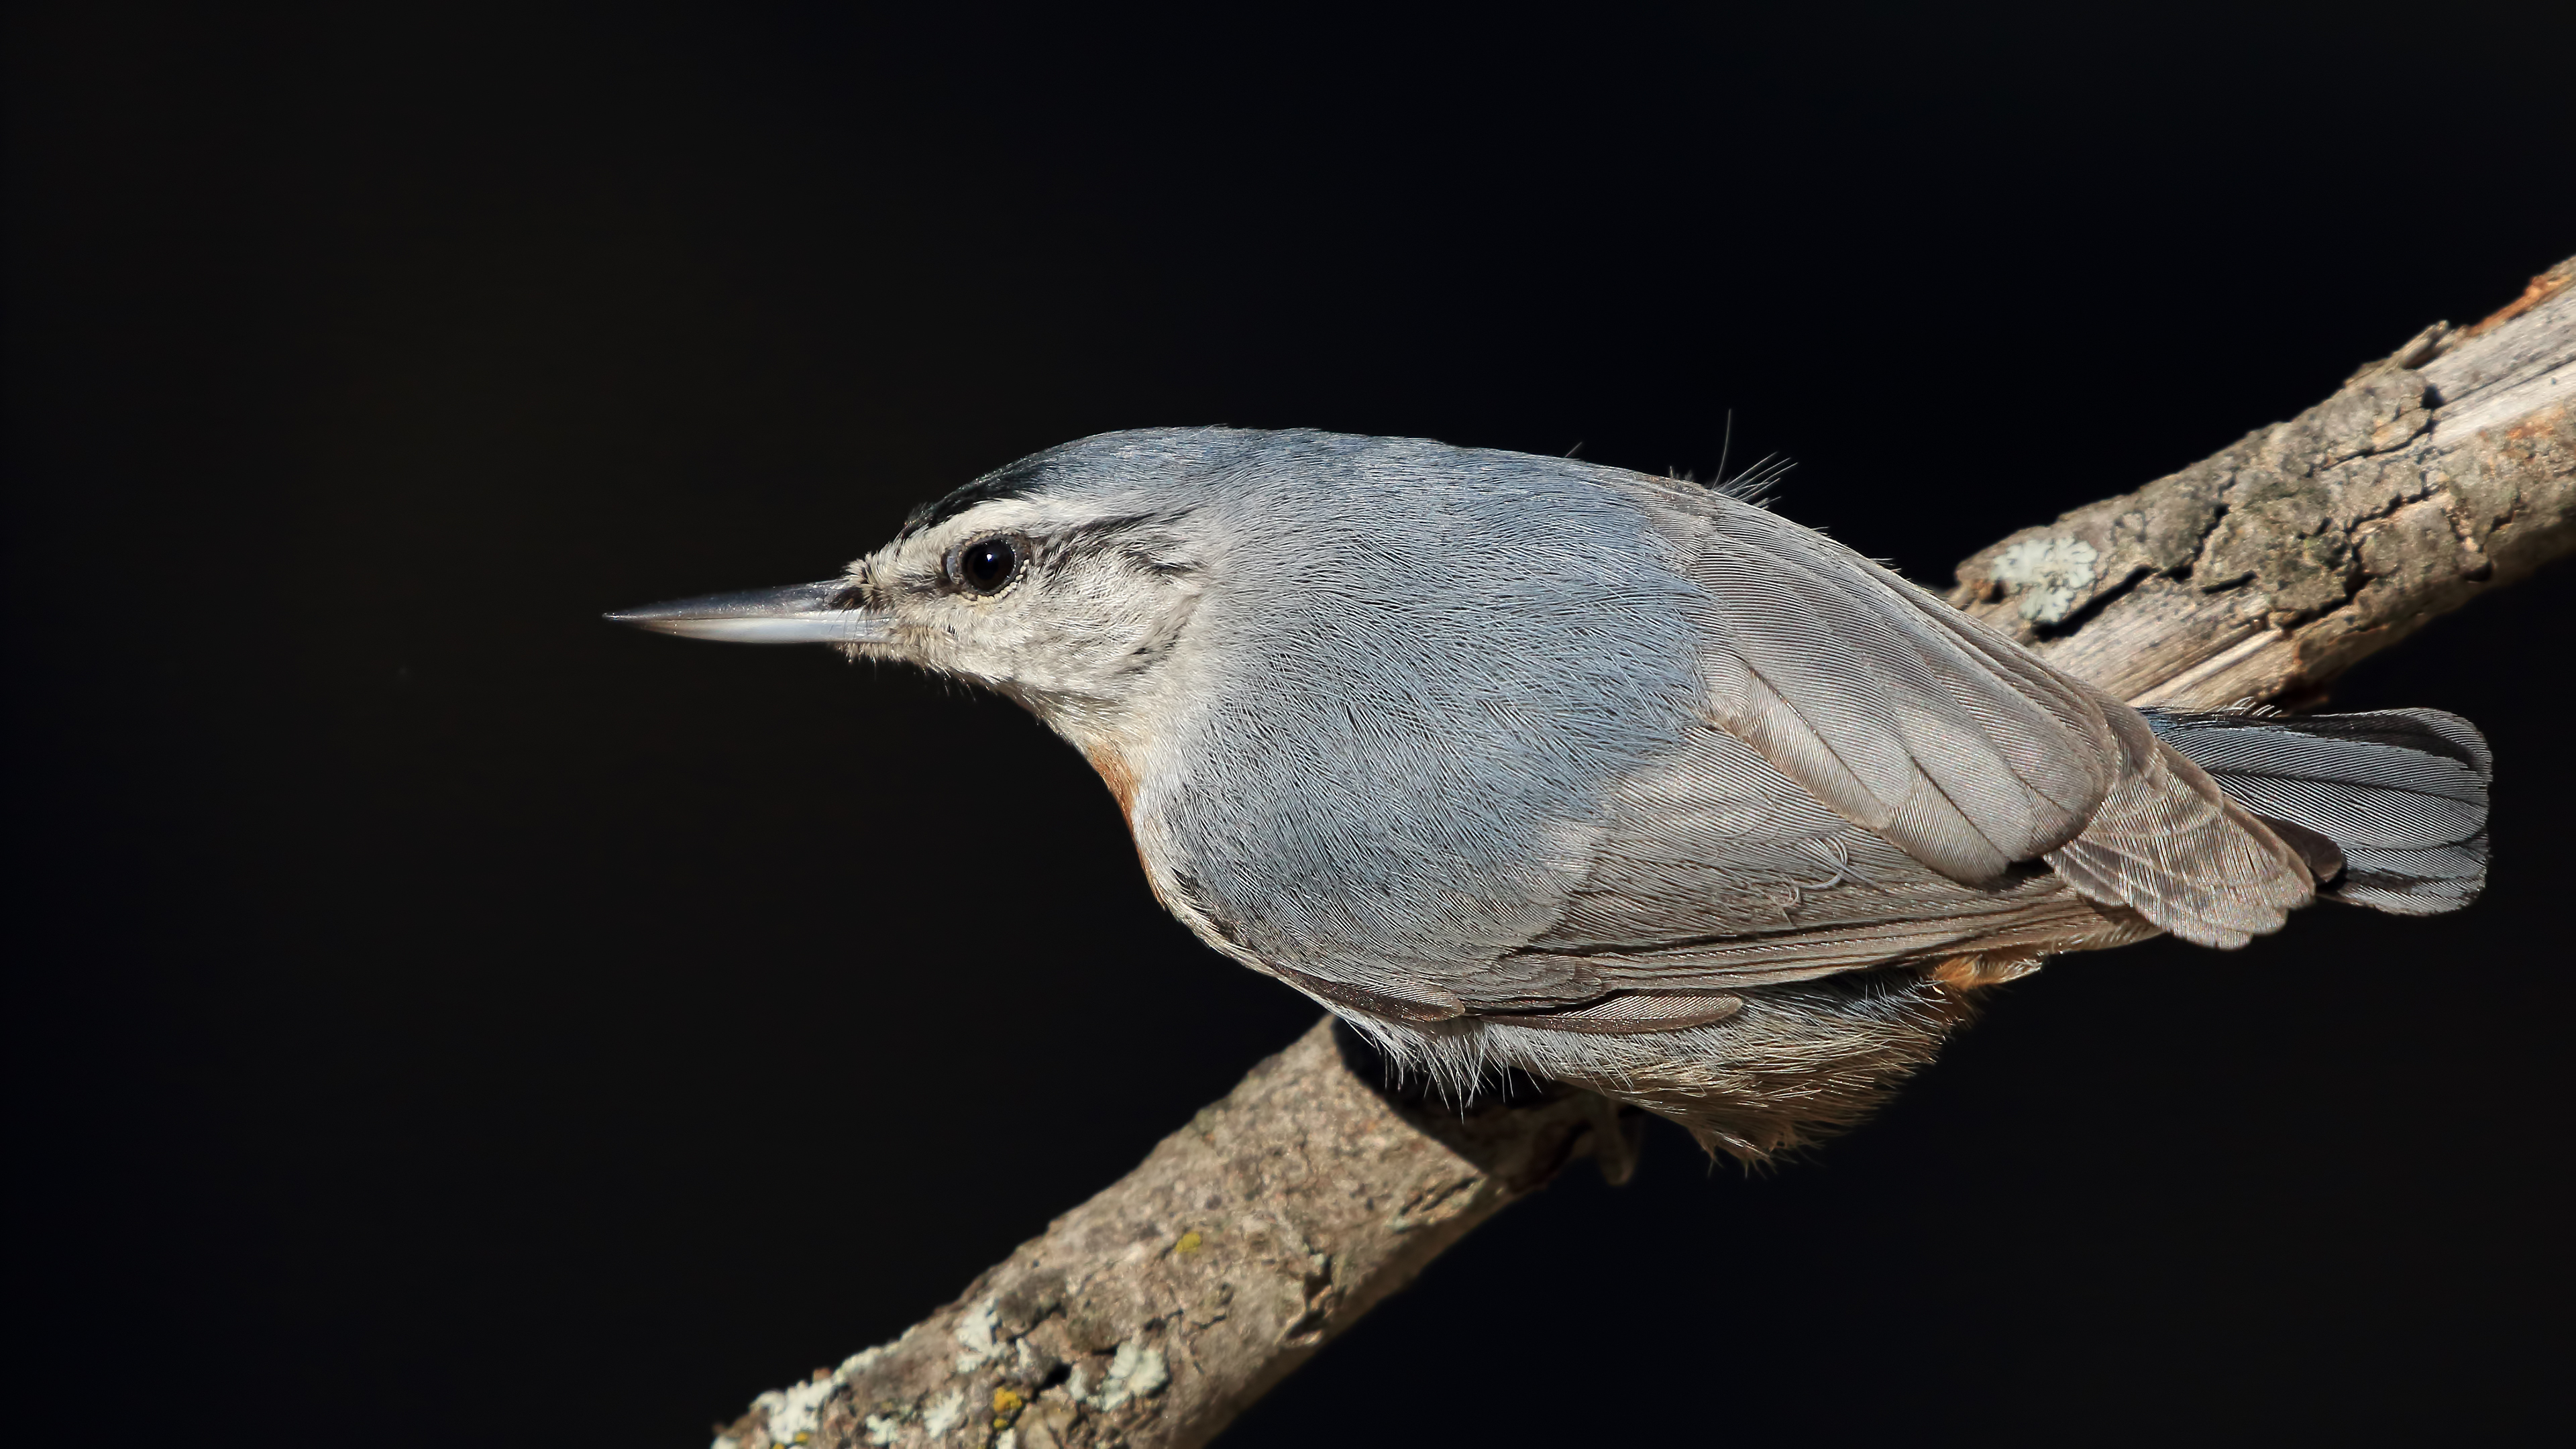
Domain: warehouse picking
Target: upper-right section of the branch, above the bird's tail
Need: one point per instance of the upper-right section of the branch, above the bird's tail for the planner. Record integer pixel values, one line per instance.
(2271, 569)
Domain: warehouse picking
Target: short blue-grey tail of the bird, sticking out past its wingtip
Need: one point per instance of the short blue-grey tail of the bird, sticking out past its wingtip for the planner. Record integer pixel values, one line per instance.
(2402, 793)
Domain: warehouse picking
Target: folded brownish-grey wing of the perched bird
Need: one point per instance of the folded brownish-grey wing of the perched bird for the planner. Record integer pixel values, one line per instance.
(1882, 780)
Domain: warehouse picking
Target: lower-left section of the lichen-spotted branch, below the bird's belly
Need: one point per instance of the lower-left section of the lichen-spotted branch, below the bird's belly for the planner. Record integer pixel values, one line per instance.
(1168, 1303)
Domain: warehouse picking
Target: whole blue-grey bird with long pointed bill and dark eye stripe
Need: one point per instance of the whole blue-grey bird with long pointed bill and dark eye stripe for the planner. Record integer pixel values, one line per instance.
(1616, 780)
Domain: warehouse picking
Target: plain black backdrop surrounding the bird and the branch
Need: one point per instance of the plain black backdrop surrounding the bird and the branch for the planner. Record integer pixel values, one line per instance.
(439, 1017)
